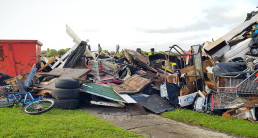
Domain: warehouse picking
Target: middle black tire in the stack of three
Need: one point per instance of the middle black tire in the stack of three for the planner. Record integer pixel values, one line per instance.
(65, 93)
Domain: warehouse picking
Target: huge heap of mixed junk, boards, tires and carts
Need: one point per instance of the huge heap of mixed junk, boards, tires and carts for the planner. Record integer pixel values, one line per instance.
(219, 77)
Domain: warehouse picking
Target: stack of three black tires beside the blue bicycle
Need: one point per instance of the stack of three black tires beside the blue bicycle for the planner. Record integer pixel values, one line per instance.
(66, 94)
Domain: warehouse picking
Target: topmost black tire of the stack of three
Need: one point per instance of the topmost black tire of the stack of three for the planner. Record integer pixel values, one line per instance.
(67, 84)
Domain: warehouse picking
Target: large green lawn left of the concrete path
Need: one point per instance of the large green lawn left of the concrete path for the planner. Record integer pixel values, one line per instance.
(56, 123)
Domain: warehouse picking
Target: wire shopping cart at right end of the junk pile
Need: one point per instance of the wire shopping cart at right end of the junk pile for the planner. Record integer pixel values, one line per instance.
(231, 91)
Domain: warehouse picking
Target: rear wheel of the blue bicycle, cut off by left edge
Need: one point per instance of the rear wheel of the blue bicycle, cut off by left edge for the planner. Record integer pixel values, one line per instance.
(8, 99)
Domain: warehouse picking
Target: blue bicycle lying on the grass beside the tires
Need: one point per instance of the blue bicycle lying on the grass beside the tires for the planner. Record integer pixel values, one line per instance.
(34, 106)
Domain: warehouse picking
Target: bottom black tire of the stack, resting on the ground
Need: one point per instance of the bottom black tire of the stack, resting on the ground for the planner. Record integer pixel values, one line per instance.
(67, 104)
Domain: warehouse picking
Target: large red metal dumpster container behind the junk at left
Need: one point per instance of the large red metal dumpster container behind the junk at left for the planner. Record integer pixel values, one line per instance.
(18, 56)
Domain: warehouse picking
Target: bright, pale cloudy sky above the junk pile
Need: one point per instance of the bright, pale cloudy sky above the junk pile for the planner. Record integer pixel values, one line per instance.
(131, 24)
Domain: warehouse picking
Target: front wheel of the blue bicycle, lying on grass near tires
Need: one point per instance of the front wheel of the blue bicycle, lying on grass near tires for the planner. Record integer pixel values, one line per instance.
(39, 106)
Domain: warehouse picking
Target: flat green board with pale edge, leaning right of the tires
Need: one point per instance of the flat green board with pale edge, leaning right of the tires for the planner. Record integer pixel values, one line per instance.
(101, 91)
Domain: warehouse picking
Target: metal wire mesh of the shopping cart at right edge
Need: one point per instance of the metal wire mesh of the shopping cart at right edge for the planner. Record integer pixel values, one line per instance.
(234, 92)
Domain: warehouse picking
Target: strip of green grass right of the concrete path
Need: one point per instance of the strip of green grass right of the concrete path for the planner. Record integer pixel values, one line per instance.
(233, 126)
